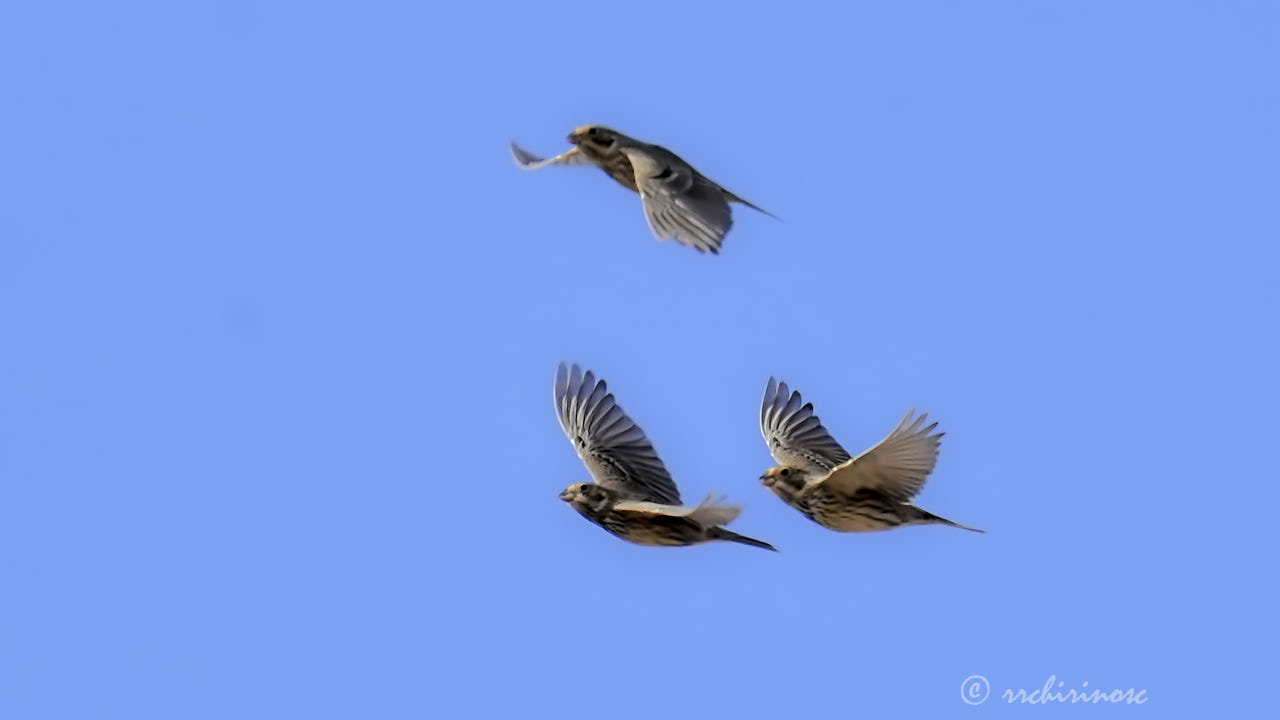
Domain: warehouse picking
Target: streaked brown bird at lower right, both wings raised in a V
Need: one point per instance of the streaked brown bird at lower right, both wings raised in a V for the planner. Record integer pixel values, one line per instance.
(817, 477)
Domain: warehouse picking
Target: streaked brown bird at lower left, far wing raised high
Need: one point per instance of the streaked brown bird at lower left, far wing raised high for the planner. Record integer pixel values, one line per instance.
(633, 496)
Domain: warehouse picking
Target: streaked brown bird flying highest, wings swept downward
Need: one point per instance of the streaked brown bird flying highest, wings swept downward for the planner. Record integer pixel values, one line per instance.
(680, 203)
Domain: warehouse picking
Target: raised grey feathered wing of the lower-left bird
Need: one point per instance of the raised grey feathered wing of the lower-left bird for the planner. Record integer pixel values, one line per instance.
(611, 445)
